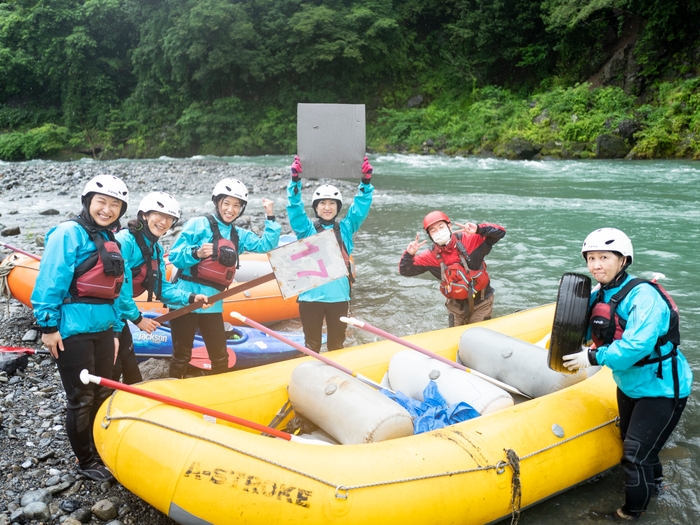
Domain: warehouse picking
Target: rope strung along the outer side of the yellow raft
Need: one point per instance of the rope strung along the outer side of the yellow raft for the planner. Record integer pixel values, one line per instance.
(342, 491)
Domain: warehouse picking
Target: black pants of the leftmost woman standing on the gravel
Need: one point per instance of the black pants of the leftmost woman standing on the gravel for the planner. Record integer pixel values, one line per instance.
(94, 352)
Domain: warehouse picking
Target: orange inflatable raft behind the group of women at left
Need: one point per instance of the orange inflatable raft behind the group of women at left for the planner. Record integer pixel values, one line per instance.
(264, 303)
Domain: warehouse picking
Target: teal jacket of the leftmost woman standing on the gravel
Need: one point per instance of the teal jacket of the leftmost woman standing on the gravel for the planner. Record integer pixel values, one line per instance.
(67, 246)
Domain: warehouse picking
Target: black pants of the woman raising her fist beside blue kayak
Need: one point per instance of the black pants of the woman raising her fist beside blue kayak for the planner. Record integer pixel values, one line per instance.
(183, 329)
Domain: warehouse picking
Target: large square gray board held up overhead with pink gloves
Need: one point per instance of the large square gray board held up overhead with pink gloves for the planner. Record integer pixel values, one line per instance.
(331, 140)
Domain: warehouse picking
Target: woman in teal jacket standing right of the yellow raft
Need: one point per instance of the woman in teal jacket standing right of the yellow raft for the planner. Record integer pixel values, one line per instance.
(634, 325)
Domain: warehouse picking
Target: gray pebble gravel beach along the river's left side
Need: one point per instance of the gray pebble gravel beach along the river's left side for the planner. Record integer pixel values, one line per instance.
(39, 481)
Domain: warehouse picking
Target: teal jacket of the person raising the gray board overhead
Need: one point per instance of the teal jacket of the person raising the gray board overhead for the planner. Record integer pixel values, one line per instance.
(339, 290)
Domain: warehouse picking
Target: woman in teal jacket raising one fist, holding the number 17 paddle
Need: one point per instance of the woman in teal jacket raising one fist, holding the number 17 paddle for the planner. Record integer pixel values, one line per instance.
(206, 254)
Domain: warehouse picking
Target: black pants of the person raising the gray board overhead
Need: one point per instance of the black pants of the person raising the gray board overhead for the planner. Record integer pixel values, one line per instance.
(312, 315)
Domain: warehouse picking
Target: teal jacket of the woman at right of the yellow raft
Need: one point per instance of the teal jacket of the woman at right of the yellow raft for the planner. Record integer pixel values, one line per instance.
(648, 317)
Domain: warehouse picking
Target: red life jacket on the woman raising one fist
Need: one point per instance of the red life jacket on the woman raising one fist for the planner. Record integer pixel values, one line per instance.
(219, 269)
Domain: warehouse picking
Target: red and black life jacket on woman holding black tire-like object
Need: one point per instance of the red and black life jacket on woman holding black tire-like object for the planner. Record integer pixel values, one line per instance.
(607, 326)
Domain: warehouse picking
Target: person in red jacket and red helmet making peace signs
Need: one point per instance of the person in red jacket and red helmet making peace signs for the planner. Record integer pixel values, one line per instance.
(457, 259)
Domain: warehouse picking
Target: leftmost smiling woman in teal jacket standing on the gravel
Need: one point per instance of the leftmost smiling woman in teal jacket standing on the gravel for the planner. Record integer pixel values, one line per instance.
(79, 279)
